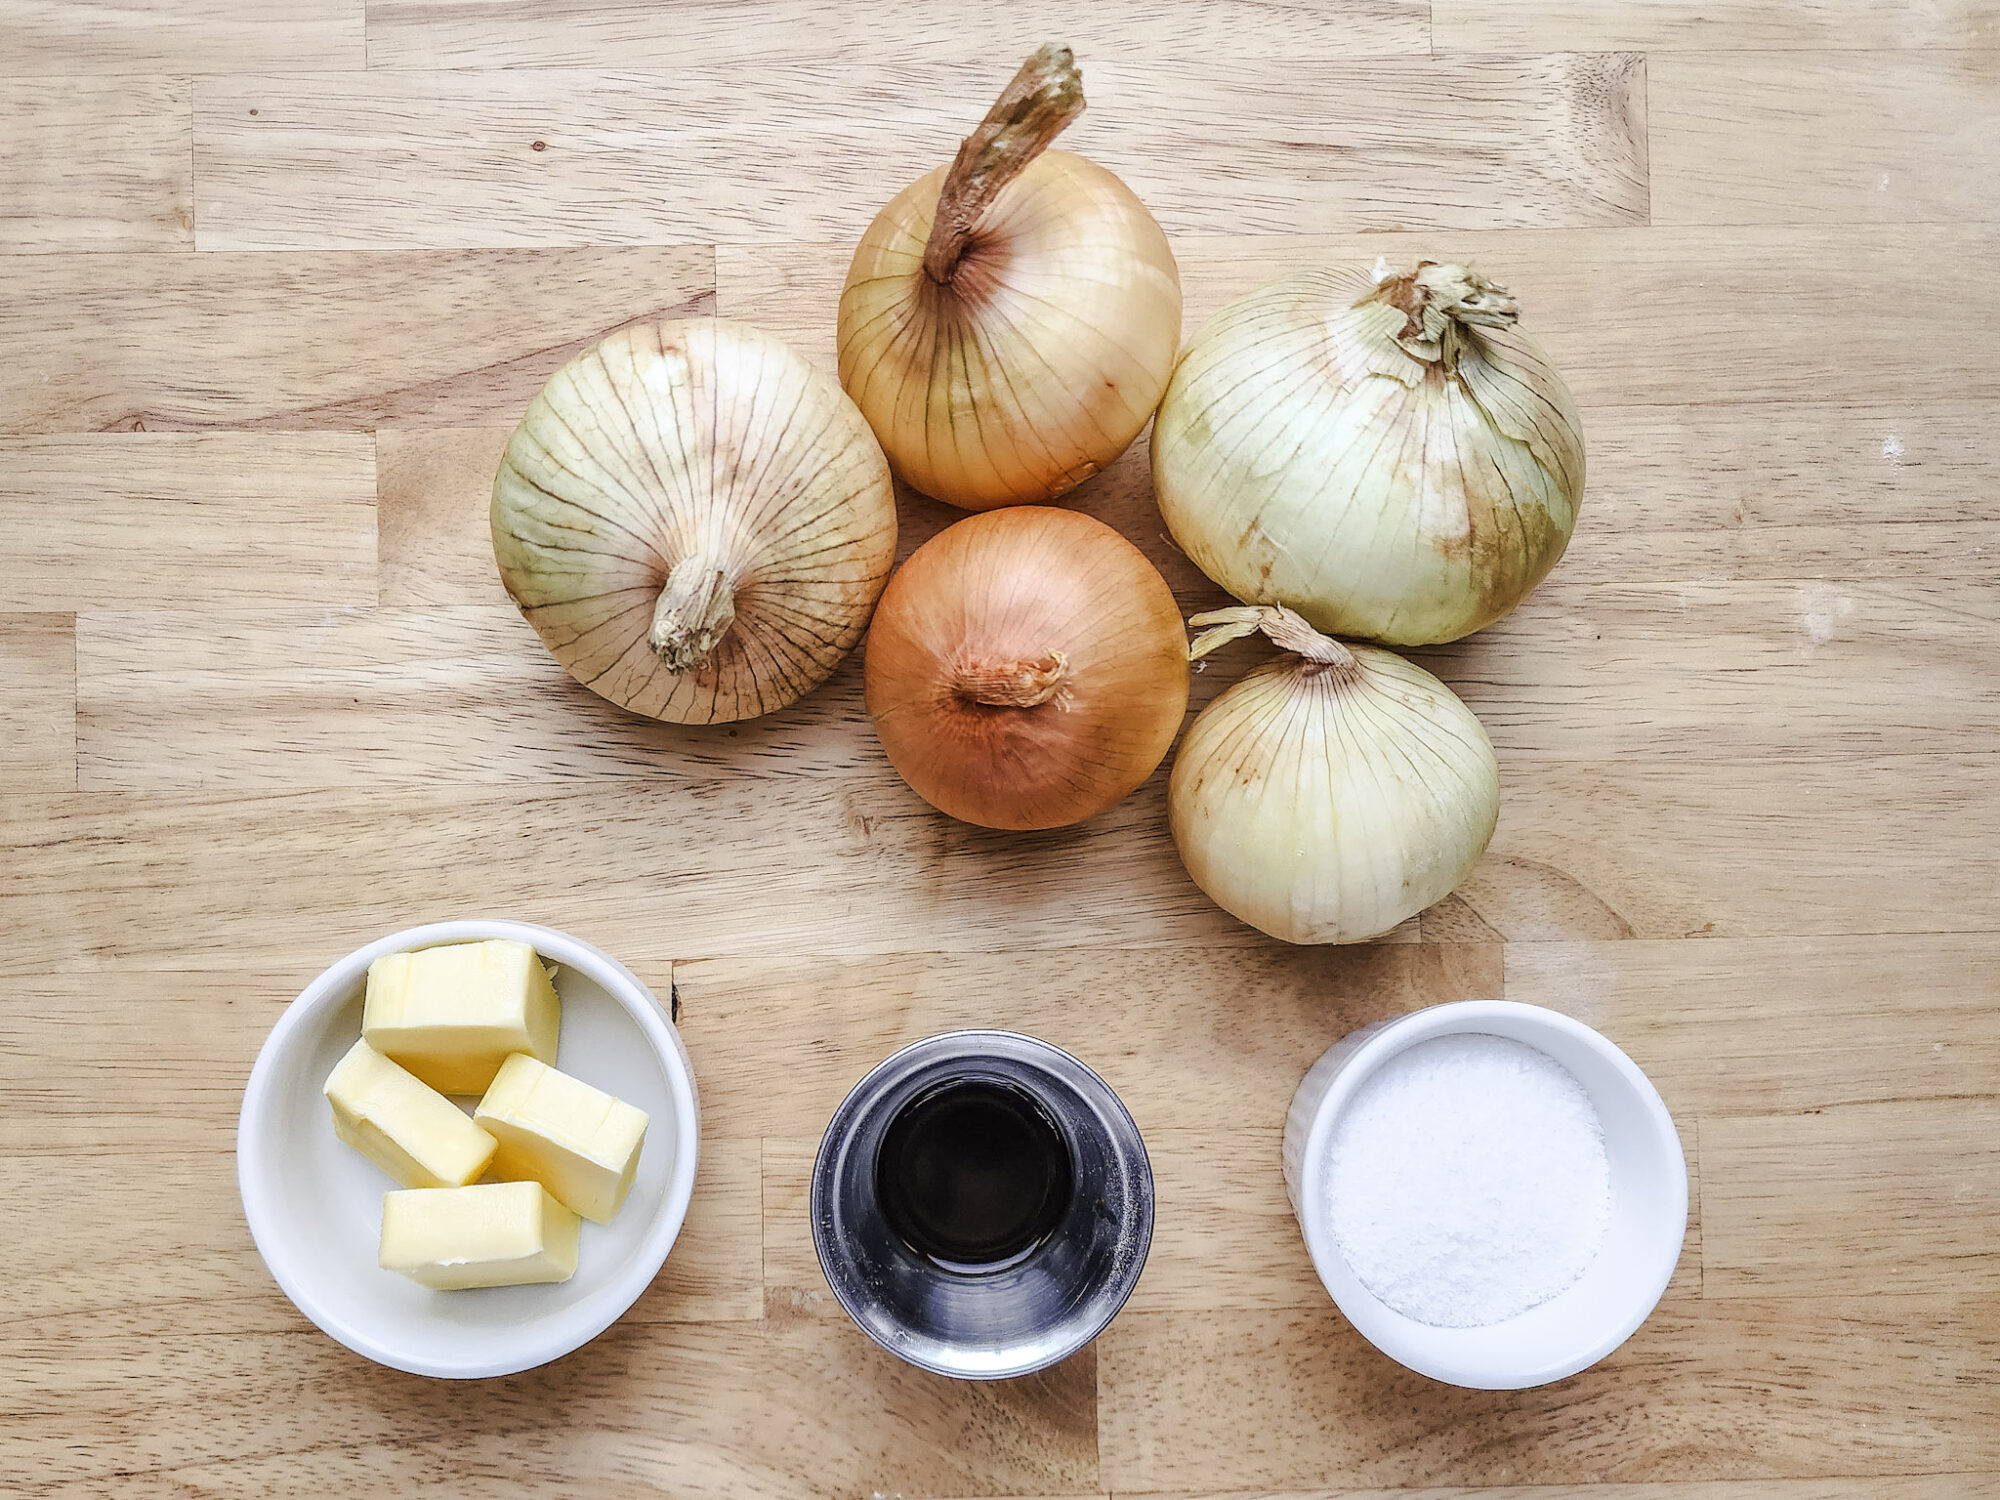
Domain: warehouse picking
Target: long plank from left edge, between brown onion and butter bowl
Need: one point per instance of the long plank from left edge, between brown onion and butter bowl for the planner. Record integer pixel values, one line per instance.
(237, 881)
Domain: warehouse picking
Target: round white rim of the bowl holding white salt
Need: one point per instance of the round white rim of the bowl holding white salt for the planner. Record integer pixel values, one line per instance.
(1383, 1325)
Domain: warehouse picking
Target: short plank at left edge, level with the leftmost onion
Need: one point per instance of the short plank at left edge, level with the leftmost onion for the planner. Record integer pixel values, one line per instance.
(189, 519)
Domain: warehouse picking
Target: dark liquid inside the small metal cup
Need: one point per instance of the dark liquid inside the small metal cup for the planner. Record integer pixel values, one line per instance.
(973, 1175)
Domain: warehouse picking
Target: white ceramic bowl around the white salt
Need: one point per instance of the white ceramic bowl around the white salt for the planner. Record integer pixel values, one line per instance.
(1577, 1327)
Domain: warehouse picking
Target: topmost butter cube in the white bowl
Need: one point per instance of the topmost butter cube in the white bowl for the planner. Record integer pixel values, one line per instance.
(453, 1015)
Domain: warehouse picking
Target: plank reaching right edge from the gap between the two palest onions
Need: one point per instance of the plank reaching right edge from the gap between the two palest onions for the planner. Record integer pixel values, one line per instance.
(1841, 669)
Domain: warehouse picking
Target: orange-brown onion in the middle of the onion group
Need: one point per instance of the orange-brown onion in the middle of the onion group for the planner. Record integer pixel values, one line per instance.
(1027, 669)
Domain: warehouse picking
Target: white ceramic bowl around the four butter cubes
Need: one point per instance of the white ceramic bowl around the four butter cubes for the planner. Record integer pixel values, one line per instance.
(315, 1205)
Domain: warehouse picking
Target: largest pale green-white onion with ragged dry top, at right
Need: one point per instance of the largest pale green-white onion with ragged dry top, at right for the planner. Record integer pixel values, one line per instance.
(1391, 459)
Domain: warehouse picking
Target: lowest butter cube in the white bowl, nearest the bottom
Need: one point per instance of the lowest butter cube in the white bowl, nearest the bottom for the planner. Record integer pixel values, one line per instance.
(489, 1235)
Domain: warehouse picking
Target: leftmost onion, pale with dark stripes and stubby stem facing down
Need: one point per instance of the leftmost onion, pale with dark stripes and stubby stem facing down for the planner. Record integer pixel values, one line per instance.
(695, 521)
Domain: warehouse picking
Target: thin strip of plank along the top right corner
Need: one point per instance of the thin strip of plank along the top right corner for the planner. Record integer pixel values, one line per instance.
(1659, 27)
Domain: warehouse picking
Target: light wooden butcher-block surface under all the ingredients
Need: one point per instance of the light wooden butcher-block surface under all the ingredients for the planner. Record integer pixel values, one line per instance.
(279, 275)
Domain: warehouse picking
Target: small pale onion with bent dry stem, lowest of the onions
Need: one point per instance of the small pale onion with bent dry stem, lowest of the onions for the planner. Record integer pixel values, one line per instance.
(1335, 791)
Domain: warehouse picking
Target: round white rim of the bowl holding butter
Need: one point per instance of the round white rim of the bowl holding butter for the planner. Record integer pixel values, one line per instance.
(337, 983)
